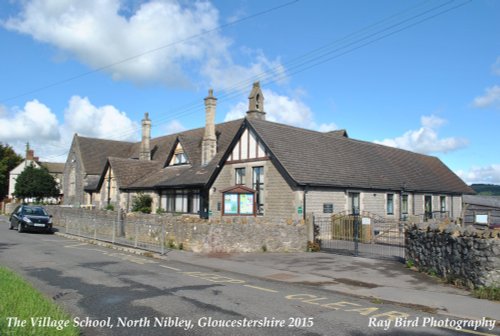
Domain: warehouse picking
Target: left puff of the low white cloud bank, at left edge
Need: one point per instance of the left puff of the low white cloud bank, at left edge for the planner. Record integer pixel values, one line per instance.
(35, 121)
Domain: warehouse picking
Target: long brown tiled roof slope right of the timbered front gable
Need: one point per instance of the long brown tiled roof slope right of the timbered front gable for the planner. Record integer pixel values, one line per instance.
(315, 158)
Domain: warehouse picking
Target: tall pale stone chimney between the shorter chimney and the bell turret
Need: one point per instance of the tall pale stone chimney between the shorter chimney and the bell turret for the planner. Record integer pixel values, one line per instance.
(209, 142)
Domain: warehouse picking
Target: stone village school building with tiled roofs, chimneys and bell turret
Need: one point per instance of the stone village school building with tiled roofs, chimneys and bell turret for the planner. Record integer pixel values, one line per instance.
(254, 167)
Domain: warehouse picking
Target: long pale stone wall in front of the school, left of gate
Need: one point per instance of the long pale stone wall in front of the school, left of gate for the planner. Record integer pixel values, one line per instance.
(232, 234)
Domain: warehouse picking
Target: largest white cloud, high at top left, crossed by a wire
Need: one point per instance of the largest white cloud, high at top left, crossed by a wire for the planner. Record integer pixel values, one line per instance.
(97, 33)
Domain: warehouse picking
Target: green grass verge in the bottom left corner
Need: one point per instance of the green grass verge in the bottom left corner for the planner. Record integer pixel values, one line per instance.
(25, 305)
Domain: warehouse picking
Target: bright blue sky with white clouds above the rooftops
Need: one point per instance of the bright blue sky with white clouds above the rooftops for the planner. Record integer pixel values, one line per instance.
(419, 75)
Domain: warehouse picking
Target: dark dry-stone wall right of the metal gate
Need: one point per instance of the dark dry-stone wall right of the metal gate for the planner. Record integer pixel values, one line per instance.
(457, 254)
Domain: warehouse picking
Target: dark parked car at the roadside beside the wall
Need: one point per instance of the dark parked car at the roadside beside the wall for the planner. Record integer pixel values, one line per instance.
(30, 218)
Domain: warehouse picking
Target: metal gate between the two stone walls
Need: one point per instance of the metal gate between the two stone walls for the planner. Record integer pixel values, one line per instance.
(366, 235)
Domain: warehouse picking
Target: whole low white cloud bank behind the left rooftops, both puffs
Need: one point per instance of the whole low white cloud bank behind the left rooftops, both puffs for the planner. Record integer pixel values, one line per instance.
(51, 138)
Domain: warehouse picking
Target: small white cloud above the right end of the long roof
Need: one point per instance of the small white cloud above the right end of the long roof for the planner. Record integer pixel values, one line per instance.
(426, 139)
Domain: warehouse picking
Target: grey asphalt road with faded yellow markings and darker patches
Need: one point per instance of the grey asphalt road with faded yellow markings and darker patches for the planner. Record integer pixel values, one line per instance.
(133, 295)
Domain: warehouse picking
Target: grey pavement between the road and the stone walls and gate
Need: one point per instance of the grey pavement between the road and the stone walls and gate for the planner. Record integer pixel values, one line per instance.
(384, 280)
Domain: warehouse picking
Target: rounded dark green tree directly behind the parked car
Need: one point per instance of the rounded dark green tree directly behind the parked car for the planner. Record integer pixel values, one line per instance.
(35, 183)
